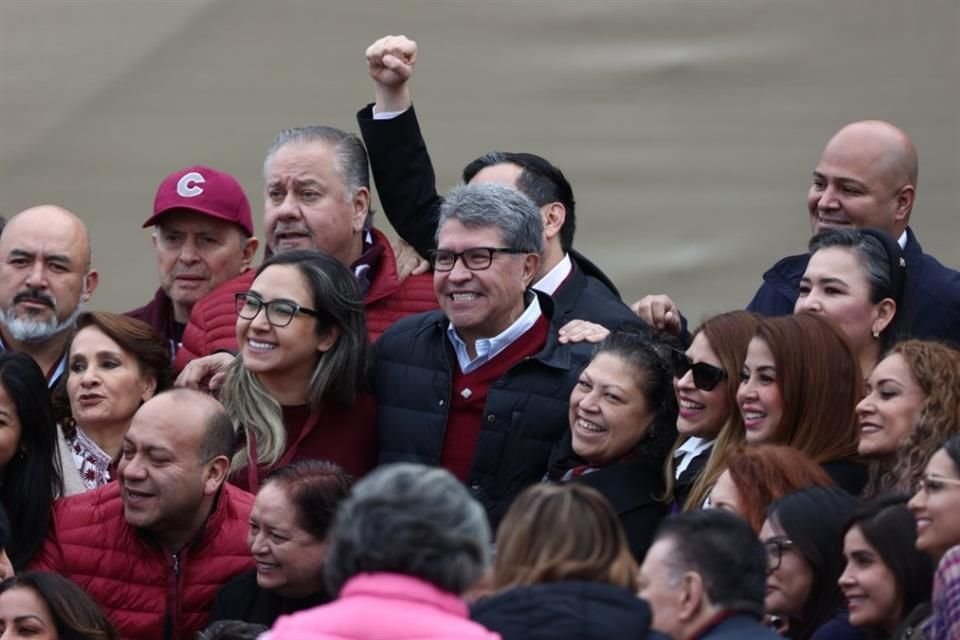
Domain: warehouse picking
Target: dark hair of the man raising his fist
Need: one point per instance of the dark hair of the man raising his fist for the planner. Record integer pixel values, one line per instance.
(539, 180)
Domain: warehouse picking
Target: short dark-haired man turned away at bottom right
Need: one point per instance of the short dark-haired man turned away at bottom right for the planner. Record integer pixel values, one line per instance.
(705, 578)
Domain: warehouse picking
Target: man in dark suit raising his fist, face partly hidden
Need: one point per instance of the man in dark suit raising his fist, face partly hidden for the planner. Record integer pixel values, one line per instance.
(407, 186)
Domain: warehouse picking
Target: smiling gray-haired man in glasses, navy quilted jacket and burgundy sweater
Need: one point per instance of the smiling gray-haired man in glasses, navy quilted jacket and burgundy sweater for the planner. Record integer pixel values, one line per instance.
(480, 387)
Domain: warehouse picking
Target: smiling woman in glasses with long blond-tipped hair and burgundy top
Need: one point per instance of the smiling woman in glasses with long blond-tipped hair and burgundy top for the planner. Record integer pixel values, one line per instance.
(297, 386)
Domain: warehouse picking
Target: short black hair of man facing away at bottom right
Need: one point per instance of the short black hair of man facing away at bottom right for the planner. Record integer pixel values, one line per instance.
(725, 551)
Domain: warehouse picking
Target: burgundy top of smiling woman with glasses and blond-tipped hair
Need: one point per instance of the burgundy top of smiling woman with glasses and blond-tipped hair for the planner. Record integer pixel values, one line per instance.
(341, 434)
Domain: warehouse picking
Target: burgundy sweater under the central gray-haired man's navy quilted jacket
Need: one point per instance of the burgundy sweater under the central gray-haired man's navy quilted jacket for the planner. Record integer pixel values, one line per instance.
(465, 419)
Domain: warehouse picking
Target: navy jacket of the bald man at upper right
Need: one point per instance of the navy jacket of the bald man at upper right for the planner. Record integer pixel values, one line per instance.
(933, 292)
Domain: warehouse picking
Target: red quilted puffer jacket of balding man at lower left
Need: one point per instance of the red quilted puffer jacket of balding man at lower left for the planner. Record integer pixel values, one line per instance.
(147, 593)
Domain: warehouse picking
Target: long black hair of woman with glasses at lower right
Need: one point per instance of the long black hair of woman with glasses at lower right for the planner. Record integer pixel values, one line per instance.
(813, 519)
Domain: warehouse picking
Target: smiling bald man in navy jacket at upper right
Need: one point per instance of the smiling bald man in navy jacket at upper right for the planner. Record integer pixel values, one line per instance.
(867, 179)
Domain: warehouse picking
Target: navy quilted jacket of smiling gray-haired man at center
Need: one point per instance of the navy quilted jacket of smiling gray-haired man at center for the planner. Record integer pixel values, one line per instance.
(525, 413)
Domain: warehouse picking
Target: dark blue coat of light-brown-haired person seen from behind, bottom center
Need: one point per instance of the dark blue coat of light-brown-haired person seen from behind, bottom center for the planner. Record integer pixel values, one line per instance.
(564, 610)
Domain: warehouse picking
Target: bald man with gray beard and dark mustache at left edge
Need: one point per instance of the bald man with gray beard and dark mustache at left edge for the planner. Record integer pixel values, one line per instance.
(45, 278)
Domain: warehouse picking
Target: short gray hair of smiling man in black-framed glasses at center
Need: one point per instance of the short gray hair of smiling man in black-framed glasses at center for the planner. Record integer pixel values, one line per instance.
(494, 205)
